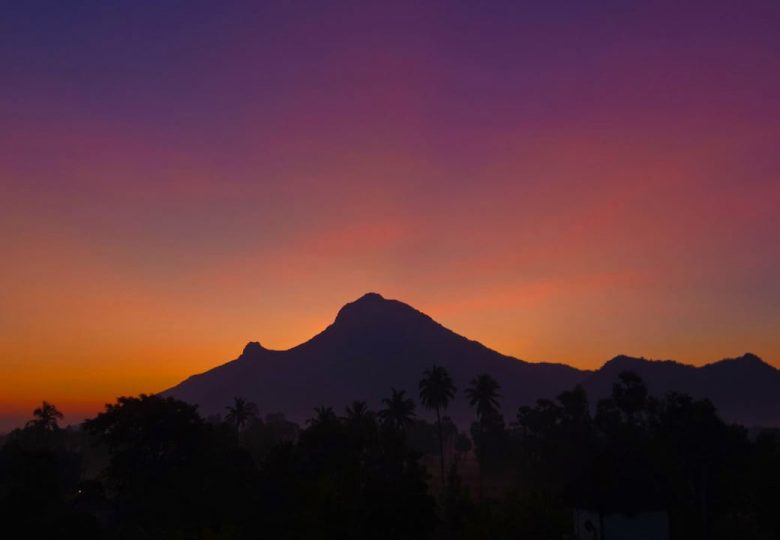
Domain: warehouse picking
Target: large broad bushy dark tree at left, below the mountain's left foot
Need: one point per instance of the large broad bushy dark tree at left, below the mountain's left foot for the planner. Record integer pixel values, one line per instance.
(172, 475)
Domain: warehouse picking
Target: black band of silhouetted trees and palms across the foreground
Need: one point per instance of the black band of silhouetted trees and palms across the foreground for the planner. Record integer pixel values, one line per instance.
(152, 468)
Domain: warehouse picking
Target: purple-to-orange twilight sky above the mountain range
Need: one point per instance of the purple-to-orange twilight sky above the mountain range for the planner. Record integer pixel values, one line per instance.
(562, 181)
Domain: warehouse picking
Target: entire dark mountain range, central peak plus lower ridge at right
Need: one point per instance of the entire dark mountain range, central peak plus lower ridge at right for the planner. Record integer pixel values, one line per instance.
(376, 344)
